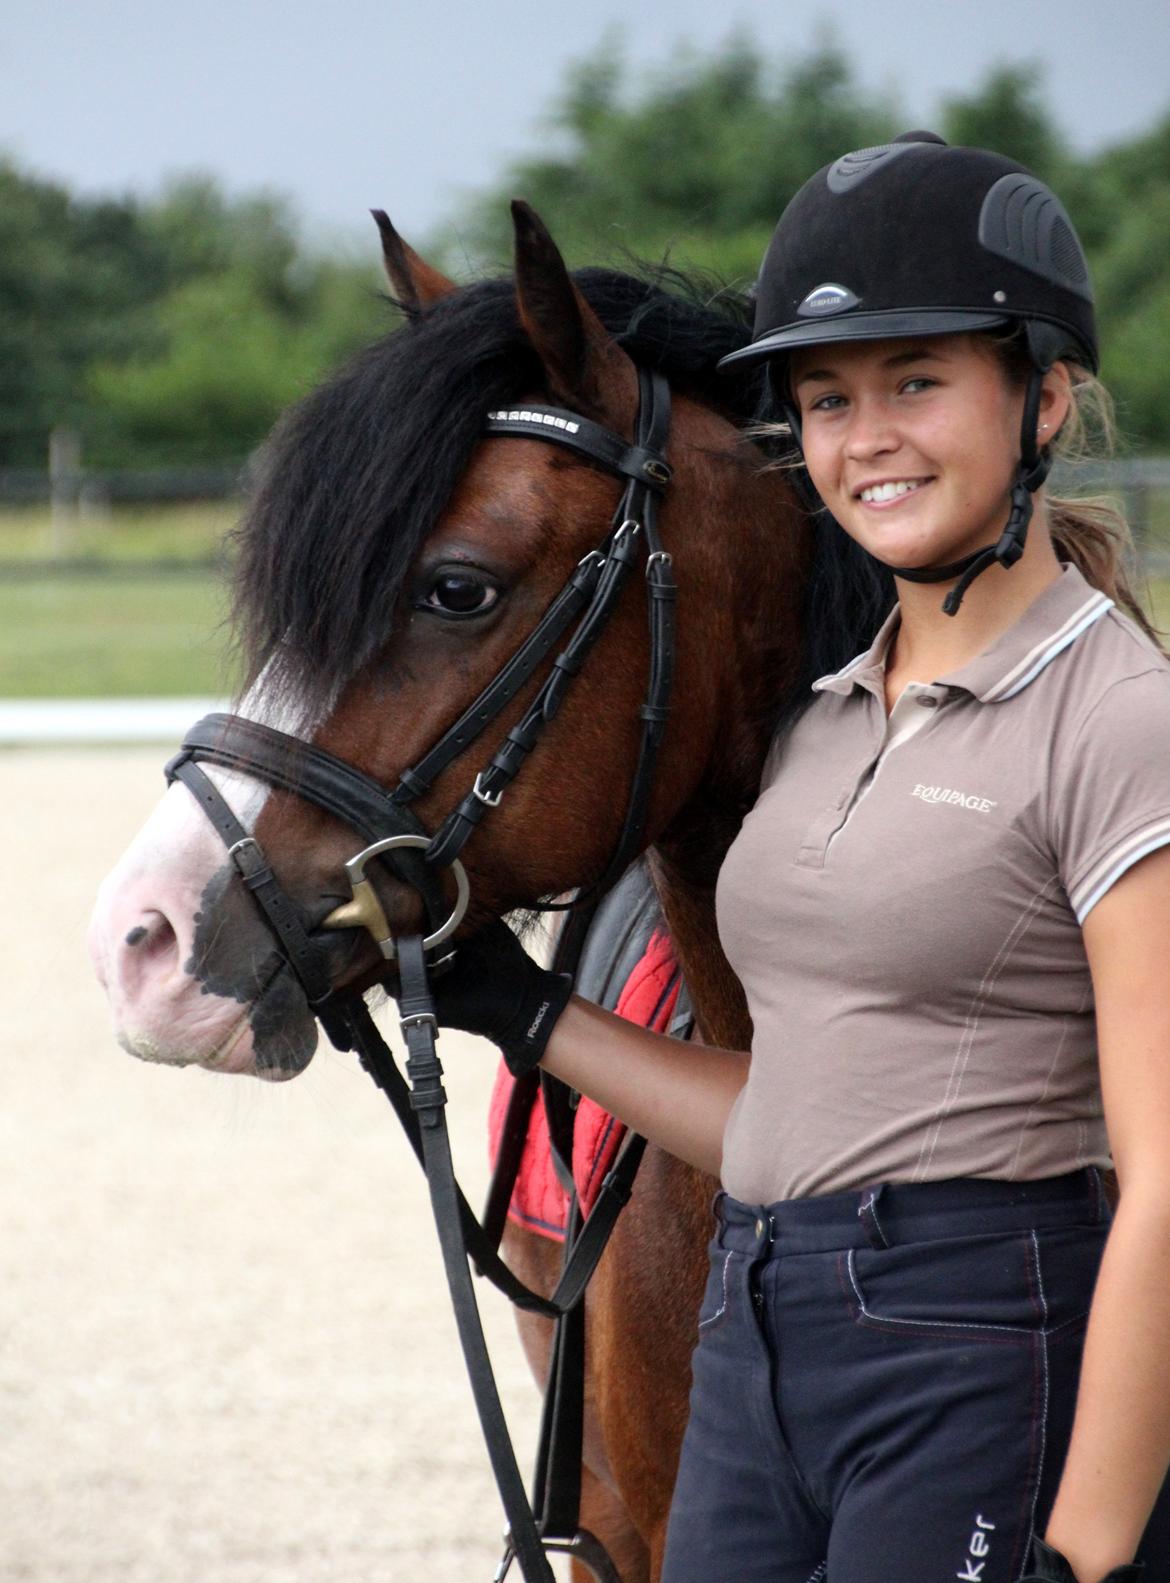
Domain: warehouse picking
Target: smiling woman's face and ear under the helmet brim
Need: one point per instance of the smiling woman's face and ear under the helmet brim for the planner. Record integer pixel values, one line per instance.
(914, 444)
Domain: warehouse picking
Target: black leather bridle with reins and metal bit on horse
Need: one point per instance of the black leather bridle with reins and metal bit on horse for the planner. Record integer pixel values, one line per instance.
(393, 833)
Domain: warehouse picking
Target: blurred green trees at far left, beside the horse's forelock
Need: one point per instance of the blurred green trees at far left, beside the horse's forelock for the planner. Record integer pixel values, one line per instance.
(167, 330)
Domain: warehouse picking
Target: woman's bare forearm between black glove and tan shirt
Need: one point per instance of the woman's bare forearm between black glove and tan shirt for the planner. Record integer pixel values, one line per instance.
(674, 1093)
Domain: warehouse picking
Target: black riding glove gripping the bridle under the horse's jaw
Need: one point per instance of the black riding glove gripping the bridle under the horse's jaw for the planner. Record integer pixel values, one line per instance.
(495, 989)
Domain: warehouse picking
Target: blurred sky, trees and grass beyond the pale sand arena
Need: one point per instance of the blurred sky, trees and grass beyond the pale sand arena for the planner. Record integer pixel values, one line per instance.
(184, 241)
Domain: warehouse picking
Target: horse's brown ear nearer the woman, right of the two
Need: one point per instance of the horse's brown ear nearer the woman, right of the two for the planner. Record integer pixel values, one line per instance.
(587, 368)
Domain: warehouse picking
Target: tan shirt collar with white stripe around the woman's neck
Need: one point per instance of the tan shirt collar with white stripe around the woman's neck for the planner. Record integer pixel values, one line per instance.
(1054, 621)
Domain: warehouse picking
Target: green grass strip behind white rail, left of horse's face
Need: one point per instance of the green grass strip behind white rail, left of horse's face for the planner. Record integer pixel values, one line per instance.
(113, 636)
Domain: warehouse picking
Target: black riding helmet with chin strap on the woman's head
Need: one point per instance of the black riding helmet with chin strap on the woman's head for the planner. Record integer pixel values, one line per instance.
(916, 238)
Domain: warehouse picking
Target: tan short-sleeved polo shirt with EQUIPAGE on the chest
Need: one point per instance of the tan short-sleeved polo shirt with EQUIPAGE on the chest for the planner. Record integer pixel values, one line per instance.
(903, 908)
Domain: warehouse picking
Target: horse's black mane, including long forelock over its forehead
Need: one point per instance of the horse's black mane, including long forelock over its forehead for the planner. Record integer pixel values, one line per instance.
(355, 477)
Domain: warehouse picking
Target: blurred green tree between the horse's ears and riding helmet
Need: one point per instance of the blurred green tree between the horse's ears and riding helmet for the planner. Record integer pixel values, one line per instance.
(697, 161)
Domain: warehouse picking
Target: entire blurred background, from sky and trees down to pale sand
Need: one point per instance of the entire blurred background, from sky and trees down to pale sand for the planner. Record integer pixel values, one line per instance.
(224, 1351)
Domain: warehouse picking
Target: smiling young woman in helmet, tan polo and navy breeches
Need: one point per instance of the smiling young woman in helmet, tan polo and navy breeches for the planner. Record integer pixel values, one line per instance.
(951, 913)
